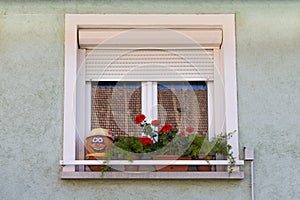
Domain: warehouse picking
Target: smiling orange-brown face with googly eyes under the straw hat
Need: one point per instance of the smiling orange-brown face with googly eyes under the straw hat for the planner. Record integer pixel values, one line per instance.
(98, 144)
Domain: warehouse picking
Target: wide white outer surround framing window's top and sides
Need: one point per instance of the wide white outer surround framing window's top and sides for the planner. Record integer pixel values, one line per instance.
(71, 101)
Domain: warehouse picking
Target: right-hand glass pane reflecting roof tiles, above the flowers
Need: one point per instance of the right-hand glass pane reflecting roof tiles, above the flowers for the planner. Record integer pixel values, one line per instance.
(183, 104)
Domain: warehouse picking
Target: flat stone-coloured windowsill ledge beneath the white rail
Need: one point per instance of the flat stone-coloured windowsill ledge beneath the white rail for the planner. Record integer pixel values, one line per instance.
(236, 175)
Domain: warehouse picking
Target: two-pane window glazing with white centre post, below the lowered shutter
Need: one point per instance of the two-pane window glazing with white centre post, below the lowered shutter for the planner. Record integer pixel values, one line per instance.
(181, 104)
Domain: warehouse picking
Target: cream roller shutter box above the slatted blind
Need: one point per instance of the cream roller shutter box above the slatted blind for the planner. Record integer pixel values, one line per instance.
(154, 37)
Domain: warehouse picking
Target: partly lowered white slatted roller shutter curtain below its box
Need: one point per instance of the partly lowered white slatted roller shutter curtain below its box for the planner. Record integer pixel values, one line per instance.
(149, 65)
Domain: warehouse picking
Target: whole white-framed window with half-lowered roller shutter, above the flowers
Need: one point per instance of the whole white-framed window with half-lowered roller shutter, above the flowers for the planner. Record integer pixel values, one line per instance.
(178, 68)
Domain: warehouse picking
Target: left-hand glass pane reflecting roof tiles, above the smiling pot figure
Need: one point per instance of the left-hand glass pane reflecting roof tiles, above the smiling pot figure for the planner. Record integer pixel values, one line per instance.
(115, 105)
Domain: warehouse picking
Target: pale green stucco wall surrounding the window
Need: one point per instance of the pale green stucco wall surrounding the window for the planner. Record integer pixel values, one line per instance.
(31, 101)
